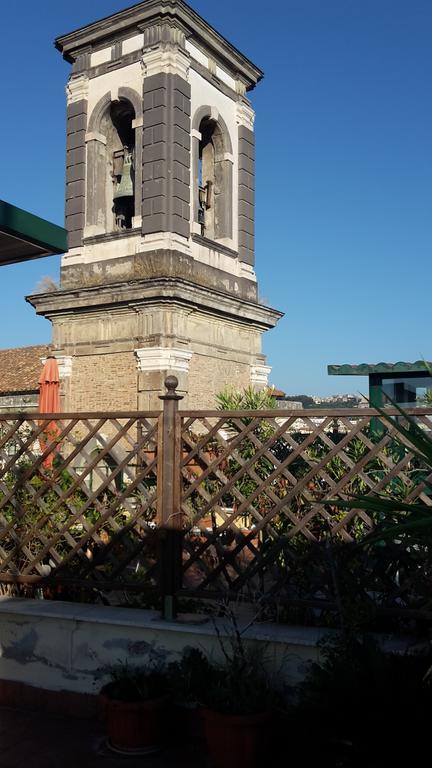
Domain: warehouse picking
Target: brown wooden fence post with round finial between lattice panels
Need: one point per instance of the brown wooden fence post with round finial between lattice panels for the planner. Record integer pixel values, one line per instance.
(169, 516)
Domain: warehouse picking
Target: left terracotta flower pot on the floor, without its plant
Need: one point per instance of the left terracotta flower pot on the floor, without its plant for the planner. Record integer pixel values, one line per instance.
(134, 726)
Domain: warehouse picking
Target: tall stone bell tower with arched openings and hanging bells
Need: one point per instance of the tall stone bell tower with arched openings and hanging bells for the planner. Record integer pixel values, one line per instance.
(159, 276)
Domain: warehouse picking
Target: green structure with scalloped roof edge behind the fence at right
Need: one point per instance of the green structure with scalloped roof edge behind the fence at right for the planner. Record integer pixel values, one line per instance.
(404, 382)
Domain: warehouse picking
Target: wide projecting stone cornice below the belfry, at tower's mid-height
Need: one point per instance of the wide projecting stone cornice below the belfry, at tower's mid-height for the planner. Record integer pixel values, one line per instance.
(138, 294)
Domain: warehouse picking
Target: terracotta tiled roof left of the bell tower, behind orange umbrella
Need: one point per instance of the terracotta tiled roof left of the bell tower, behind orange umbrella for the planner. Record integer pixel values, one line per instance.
(20, 368)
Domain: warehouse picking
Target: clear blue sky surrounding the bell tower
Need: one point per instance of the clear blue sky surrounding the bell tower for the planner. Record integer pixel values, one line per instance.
(344, 171)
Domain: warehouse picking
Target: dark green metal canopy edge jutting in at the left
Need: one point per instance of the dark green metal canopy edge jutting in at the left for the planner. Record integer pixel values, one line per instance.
(24, 236)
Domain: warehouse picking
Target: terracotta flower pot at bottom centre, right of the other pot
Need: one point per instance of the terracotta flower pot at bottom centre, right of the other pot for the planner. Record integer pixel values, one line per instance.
(235, 740)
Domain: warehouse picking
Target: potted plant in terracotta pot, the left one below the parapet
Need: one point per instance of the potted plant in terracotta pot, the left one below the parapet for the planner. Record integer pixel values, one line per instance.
(133, 702)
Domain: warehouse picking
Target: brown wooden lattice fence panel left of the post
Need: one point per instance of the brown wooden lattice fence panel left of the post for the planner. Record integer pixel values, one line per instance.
(77, 497)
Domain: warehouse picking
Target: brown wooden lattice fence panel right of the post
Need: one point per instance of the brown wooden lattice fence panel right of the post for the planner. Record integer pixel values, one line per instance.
(260, 492)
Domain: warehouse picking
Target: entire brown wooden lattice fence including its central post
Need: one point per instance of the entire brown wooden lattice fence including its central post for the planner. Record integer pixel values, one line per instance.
(211, 504)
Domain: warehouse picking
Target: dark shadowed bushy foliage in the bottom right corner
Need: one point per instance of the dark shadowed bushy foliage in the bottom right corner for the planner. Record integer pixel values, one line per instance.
(362, 694)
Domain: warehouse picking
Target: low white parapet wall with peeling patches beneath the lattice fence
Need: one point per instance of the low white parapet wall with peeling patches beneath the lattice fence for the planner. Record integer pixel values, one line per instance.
(63, 646)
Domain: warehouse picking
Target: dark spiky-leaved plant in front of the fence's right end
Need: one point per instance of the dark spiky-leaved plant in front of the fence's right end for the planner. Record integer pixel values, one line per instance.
(395, 558)
